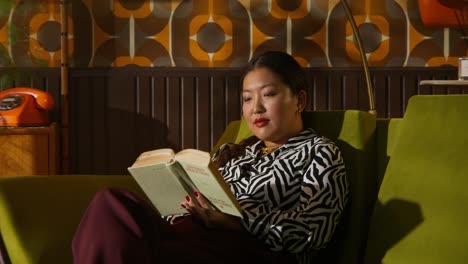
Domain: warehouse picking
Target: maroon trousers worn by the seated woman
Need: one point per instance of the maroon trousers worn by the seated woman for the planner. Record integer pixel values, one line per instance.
(120, 228)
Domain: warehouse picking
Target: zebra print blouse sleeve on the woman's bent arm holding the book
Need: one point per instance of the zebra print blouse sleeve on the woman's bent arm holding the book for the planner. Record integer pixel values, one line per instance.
(313, 220)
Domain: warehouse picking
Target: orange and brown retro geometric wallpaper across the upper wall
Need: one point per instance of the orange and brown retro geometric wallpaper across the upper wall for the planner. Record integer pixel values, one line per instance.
(221, 33)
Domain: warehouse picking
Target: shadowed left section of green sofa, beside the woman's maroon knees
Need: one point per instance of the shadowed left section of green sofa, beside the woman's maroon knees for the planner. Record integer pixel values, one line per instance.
(39, 214)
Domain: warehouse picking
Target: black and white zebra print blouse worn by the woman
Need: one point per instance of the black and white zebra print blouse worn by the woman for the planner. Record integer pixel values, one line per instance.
(292, 198)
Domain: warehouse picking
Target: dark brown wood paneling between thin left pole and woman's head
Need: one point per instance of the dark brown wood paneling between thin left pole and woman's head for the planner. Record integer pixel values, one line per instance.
(132, 110)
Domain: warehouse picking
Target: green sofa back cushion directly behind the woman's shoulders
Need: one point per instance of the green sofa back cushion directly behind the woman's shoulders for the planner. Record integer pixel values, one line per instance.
(353, 131)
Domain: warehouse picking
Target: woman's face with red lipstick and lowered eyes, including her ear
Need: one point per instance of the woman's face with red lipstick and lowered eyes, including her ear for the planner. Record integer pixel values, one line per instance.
(270, 108)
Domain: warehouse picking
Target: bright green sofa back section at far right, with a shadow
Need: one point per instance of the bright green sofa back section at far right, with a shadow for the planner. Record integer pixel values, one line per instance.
(421, 215)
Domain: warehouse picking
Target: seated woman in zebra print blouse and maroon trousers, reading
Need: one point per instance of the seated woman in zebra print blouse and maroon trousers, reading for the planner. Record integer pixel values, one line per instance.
(291, 185)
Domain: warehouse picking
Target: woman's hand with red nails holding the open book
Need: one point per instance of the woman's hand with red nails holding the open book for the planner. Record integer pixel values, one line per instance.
(201, 210)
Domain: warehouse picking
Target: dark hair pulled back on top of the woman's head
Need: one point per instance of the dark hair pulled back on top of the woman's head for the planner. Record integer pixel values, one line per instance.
(284, 66)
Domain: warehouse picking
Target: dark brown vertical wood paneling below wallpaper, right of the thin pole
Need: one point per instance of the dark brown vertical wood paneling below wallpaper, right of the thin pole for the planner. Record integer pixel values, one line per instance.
(117, 113)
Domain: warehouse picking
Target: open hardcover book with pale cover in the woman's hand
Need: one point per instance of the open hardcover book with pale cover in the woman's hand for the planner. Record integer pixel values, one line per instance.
(167, 177)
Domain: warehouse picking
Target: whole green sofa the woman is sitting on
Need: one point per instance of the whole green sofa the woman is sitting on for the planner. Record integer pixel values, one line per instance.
(407, 179)
